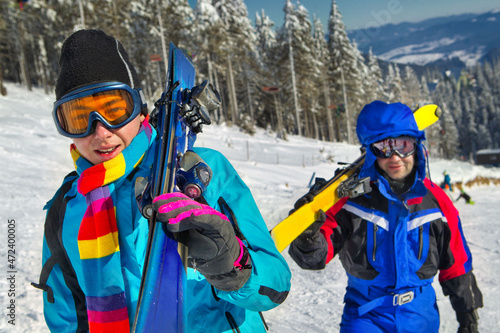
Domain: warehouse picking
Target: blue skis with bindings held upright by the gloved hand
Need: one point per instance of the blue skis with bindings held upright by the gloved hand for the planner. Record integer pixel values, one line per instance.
(178, 117)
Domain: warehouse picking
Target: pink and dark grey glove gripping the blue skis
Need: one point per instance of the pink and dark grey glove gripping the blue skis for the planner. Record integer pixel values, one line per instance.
(213, 248)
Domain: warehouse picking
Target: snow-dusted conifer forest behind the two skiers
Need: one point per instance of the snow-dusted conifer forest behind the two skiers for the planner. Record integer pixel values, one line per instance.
(301, 78)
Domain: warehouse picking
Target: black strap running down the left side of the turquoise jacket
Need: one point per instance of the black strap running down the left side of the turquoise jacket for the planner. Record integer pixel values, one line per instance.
(53, 237)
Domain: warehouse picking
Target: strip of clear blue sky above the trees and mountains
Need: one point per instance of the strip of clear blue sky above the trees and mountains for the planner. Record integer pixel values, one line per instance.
(367, 13)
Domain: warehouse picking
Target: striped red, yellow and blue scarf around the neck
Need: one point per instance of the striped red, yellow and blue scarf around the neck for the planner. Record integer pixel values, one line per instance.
(103, 283)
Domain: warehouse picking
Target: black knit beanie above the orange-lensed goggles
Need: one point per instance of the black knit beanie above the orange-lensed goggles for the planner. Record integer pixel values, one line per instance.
(91, 56)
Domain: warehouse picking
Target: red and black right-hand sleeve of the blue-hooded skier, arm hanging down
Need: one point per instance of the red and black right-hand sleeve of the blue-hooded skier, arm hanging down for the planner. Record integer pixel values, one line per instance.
(456, 276)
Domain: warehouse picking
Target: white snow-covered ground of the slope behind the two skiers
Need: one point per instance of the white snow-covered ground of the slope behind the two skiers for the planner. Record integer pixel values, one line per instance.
(34, 159)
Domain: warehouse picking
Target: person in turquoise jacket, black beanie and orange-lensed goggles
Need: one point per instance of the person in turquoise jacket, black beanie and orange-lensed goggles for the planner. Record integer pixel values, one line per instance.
(95, 215)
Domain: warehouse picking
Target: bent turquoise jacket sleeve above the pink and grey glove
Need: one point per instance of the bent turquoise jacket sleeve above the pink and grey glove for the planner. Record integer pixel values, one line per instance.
(266, 288)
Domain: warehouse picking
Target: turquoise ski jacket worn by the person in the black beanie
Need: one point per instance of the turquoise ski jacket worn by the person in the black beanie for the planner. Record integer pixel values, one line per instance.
(209, 309)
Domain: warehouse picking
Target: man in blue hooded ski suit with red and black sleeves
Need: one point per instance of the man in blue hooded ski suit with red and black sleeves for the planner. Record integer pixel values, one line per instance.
(393, 240)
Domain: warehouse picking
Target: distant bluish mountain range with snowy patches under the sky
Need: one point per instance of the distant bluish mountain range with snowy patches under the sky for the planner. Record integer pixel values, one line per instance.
(454, 41)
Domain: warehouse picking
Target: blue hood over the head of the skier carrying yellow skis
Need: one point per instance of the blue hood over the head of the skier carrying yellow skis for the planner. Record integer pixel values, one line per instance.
(379, 120)
